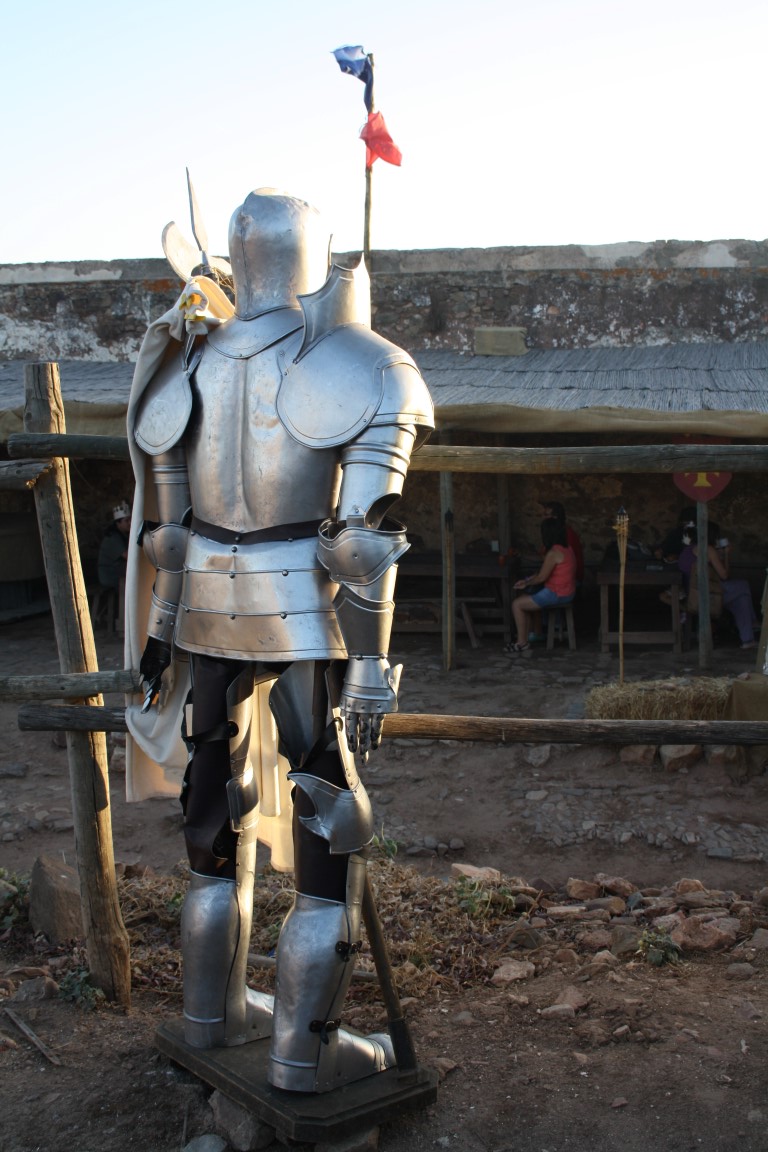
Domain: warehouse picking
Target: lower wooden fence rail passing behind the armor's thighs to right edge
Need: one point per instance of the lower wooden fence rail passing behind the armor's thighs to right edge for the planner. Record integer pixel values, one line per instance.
(496, 730)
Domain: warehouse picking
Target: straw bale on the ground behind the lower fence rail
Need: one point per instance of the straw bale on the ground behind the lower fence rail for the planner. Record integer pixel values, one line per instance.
(679, 699)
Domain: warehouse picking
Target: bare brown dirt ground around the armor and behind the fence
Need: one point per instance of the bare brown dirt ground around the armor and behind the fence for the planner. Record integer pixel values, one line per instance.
(672, 1058)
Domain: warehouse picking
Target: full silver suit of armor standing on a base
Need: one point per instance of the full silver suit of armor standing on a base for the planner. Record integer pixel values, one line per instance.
(278, 445)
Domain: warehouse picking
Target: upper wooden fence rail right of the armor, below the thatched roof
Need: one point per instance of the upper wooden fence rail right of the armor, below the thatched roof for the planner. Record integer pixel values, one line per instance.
(656, 458)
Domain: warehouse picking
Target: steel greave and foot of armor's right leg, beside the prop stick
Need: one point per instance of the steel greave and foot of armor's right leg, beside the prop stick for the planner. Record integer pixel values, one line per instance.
(316, 958)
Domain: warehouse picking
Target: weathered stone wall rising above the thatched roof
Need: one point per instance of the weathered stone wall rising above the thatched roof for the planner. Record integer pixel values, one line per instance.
(565, 298)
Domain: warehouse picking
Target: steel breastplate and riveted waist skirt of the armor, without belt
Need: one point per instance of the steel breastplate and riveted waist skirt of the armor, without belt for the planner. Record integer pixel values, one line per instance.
(255, 601)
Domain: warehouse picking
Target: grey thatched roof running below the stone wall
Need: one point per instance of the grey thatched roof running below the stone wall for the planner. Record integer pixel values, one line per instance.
(696, 389)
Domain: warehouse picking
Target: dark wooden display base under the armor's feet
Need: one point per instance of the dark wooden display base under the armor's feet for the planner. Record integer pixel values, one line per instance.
(241, 1074)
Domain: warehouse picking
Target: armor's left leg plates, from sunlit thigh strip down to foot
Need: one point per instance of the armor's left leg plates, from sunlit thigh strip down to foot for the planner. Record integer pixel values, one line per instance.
(218, 913)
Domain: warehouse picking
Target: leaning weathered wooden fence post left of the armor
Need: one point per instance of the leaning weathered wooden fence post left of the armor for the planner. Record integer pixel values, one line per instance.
(105, 935)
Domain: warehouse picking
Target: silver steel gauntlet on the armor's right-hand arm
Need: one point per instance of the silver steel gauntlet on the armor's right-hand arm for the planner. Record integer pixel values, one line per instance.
(369, 694)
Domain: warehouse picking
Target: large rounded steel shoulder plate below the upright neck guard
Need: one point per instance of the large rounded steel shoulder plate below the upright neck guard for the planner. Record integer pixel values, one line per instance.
(333, 393)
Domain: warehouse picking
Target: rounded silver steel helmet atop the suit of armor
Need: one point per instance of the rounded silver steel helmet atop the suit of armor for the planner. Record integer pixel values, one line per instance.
(279, 249)
